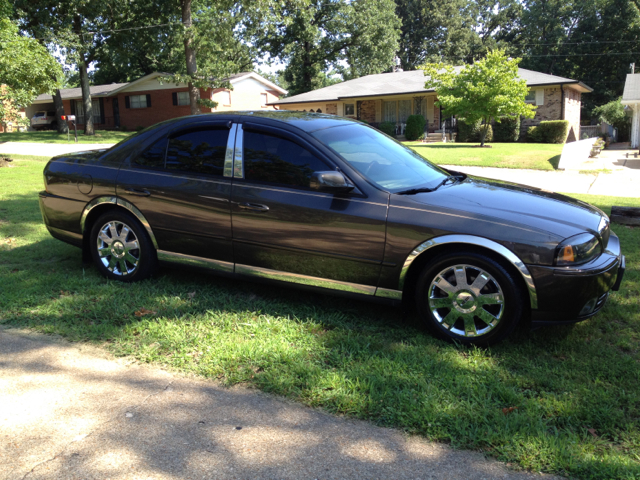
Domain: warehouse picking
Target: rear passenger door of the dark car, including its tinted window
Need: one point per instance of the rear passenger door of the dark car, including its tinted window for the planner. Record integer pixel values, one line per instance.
(178, 184)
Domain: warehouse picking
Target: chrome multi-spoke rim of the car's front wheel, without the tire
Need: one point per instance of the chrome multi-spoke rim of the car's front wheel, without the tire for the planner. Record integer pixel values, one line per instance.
(466, 300)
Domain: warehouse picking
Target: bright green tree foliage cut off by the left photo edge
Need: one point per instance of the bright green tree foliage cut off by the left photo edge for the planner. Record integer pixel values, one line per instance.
(26, 69)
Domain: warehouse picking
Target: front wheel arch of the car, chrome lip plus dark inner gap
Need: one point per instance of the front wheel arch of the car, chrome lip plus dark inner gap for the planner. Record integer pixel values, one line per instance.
(428, 250)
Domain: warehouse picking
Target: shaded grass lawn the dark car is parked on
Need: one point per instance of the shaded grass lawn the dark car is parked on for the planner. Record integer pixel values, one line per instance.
(575, 389)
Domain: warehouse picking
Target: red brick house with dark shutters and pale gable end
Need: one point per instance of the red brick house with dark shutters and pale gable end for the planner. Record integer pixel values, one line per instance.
(147, 100)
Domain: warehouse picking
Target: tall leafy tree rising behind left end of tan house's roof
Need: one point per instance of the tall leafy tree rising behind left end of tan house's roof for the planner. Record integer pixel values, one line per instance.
(312, 37)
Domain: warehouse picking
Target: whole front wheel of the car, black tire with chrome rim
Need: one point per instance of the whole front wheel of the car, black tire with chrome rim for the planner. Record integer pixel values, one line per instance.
(469, 298)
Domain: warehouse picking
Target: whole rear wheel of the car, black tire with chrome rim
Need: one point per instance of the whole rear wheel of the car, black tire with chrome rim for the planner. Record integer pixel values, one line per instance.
(121, 248)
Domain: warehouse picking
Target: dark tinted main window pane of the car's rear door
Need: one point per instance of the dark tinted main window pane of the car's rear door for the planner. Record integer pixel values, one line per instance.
(198, 151)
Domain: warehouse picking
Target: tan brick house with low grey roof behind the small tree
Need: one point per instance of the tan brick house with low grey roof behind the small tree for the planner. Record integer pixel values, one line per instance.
(392, 97)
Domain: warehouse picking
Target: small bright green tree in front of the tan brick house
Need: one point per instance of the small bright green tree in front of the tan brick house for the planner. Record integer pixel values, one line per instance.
(490, 89)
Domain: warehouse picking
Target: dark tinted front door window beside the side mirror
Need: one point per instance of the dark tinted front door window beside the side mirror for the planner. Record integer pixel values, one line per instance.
(272, 159)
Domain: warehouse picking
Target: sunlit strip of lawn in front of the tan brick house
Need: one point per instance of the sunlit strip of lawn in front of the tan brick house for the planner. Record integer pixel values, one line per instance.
(535, 156)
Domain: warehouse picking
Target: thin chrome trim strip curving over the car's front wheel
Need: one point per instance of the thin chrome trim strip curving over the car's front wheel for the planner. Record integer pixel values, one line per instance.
(481, 242)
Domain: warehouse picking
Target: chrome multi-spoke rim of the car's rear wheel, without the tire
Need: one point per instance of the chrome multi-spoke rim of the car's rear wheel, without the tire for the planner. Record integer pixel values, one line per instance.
(118, 248)
